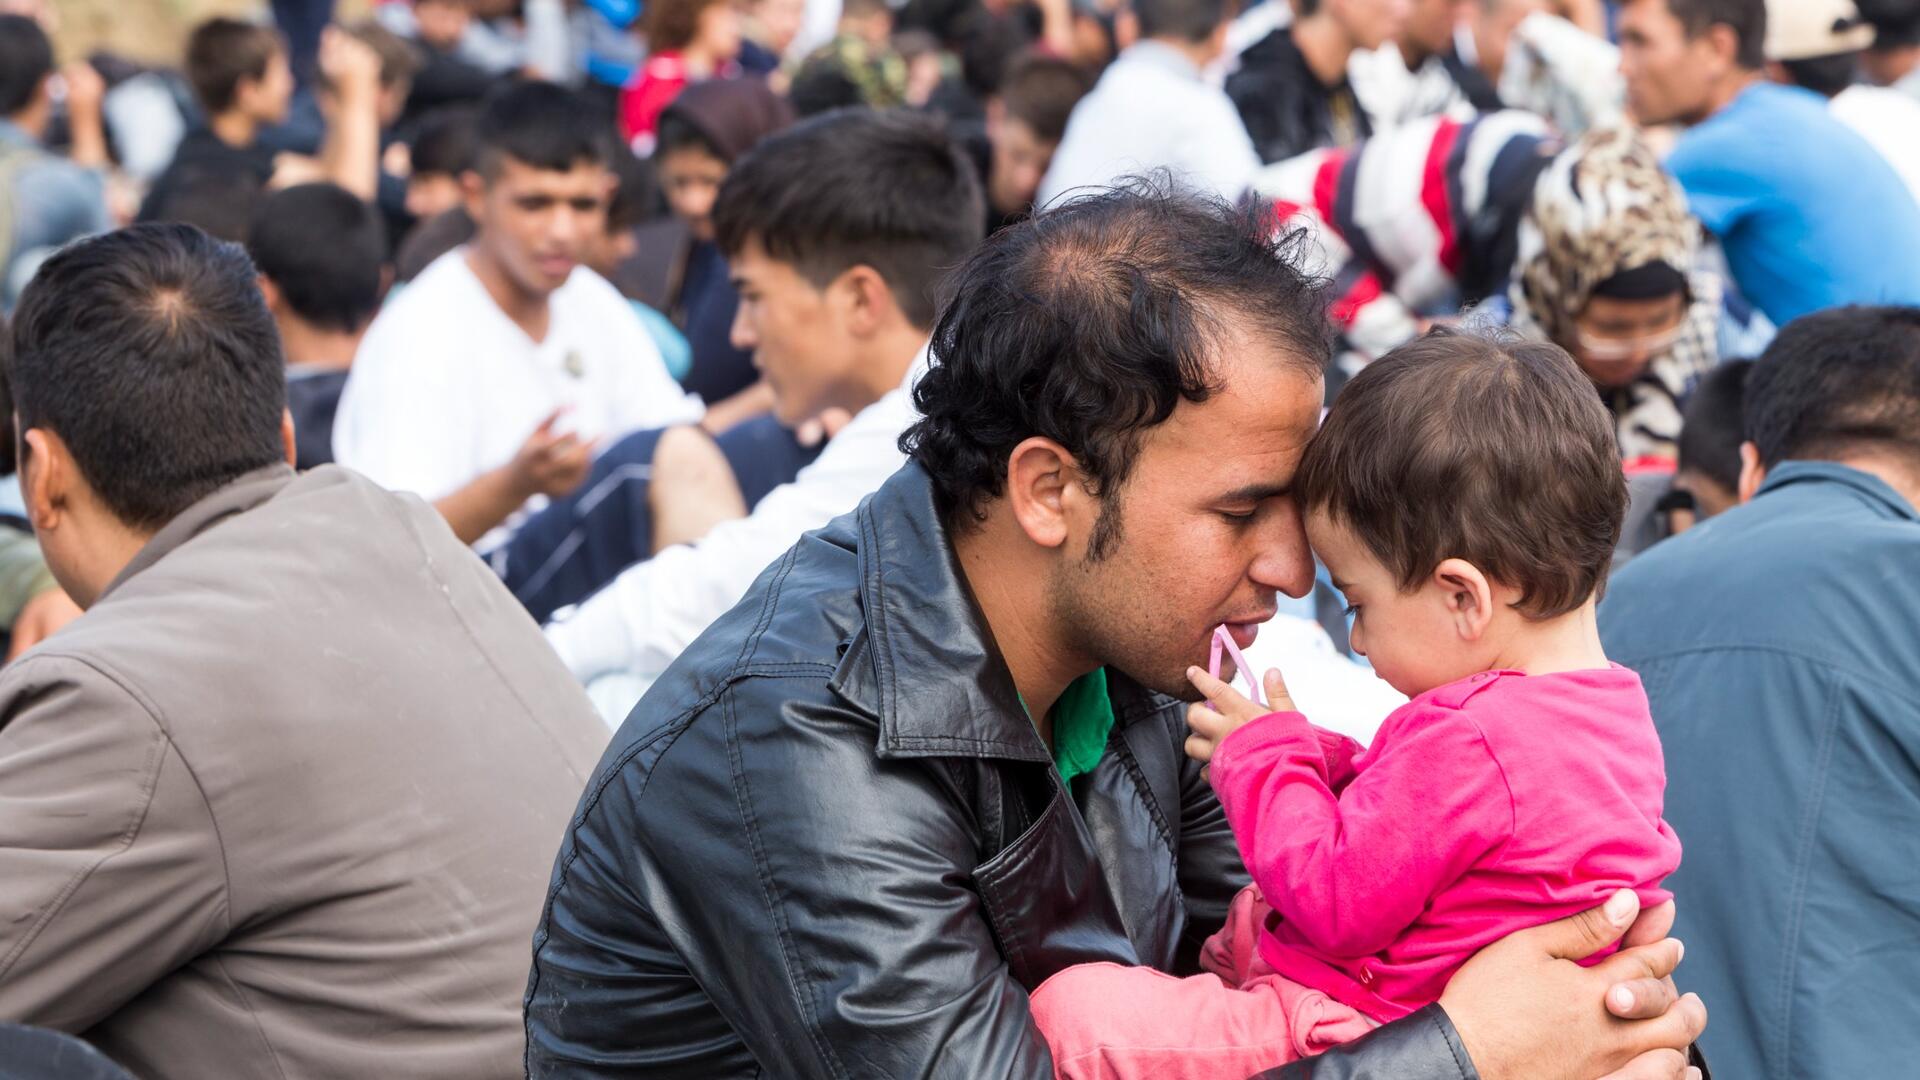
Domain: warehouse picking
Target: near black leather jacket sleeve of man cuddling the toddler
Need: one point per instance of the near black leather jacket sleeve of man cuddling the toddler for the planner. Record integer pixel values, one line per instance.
(817, 895)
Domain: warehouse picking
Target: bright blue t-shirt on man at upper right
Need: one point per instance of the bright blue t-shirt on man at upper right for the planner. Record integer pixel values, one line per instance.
(1810, 214)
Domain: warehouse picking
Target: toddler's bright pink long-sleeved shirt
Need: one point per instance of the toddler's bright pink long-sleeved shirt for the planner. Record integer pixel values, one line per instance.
(1485, 806)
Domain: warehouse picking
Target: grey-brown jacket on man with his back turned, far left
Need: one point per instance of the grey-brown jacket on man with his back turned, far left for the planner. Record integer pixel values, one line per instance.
(283, 802)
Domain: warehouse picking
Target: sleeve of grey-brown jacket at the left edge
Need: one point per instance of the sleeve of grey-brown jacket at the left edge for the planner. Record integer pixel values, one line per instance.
(110, 868)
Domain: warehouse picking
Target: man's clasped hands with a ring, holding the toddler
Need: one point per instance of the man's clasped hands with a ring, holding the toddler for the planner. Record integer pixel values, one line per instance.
(1527, 1012)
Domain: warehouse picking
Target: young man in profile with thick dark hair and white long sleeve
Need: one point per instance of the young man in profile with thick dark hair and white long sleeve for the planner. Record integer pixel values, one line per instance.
(838, 233)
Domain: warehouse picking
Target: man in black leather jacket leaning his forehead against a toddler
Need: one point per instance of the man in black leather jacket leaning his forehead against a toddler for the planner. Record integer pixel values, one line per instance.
(936, 758)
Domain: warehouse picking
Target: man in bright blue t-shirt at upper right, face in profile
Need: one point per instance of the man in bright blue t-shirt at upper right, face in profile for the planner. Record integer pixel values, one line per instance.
(1808, 212)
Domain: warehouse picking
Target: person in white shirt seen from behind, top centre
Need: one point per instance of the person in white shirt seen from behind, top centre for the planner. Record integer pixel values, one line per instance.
(1157, 109)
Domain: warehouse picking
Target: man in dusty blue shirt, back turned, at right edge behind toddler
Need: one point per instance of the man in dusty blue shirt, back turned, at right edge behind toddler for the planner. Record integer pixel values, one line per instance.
(1781, 649)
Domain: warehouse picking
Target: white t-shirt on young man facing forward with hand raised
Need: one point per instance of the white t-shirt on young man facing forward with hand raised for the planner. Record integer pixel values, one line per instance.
(446, 385)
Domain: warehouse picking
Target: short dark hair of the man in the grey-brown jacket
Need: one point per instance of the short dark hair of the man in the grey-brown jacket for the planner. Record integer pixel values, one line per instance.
(153, 356)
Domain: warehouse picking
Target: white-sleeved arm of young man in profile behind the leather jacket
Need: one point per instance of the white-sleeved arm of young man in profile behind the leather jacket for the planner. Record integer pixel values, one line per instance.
(656, 610)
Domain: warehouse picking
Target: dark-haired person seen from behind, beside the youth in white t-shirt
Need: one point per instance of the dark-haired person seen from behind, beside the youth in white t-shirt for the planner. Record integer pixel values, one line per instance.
(322, 260)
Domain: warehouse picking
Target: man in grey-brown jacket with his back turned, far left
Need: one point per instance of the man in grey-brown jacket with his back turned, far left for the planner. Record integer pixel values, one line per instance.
(283, 802)
